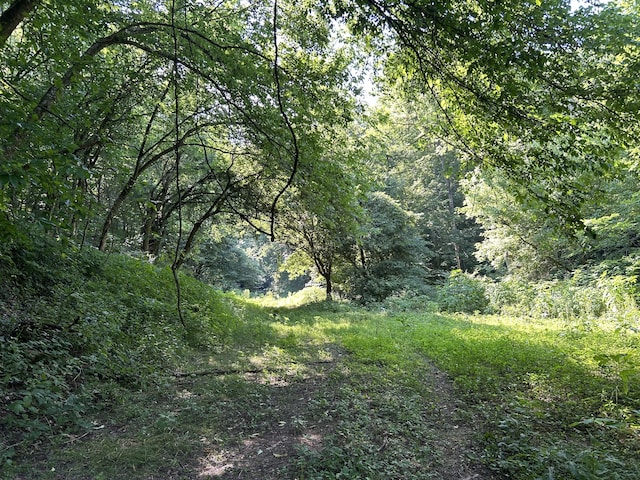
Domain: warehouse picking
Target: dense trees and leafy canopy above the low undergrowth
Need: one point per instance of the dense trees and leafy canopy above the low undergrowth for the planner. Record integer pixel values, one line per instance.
(151, 127)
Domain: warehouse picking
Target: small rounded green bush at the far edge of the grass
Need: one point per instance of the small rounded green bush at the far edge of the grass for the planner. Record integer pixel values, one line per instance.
(463, 293)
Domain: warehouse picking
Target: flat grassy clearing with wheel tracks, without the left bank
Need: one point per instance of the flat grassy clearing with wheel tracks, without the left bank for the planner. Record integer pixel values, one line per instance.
(346, 394)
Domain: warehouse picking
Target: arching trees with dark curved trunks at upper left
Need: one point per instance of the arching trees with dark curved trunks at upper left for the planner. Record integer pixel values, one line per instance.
(154, 115)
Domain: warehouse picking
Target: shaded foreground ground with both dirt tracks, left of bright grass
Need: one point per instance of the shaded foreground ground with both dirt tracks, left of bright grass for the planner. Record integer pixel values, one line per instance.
(295, 411)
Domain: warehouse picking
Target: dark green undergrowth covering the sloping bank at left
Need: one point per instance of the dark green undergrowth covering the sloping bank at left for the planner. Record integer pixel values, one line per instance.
(73, 322)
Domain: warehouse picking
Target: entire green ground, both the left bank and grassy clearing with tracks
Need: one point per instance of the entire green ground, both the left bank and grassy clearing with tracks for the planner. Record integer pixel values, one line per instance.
(100, 381)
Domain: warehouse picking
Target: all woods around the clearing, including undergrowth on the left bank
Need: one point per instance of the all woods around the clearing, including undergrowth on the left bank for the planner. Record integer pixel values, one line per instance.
(452, 156)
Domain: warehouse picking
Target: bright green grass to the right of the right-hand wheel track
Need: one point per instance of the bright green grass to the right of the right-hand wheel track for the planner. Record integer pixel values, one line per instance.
(554, 401)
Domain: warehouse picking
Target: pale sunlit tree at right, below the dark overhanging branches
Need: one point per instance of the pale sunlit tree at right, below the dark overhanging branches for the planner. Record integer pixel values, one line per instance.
(521, 238)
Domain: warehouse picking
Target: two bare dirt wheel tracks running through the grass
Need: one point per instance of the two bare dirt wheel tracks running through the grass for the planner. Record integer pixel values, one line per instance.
(268, 453)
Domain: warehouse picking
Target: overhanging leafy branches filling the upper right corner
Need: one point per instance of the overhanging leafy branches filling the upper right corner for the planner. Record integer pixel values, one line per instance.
(530, 87)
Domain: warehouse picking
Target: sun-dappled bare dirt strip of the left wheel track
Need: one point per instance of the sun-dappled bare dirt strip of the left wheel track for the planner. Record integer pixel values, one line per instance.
(266, 439)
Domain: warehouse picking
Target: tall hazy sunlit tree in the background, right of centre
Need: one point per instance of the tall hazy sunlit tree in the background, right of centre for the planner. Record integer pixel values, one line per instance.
(422, 172)
